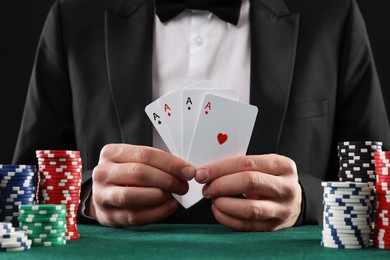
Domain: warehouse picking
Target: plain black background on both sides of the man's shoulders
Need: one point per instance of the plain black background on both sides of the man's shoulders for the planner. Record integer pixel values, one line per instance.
(21, 24)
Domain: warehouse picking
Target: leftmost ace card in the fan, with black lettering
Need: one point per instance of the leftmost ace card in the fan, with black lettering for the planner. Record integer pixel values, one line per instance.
(156, 117)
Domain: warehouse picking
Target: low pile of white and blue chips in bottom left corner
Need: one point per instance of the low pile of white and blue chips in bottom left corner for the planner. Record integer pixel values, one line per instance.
(11, 240)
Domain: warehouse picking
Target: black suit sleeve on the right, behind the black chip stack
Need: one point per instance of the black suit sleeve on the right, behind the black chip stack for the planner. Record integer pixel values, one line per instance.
(360, 112)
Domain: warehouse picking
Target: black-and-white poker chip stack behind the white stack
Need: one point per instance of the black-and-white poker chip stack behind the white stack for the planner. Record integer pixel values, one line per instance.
(357, 164)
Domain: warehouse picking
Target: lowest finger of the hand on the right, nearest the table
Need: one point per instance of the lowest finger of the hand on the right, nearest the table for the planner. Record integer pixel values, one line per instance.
(243, 225)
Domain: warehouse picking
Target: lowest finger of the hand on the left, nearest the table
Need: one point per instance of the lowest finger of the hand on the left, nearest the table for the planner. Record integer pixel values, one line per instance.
(116, 217)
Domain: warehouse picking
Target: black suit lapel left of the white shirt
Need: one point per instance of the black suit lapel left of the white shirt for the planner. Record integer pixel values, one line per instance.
(129, 38)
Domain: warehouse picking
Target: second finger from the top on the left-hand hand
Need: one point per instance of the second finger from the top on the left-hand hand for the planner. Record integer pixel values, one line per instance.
(136, 174)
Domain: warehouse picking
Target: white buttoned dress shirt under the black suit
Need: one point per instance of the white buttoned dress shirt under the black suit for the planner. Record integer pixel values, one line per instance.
(197, 45)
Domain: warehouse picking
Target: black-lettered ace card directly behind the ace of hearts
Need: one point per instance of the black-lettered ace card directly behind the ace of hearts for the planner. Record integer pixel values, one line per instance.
(191, 104)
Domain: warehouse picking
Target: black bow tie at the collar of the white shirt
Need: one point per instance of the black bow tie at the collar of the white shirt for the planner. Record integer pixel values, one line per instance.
(227, 10)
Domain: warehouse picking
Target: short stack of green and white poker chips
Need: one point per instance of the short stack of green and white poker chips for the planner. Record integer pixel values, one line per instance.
(44, 224)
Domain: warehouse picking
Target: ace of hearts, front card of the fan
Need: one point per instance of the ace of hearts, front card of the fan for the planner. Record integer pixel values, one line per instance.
(223, 130)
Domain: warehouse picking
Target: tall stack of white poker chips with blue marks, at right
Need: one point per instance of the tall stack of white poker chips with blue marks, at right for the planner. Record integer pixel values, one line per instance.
(346, 220)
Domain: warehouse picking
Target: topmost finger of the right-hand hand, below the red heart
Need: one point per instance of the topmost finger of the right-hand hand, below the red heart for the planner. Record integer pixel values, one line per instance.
(269, 163)
